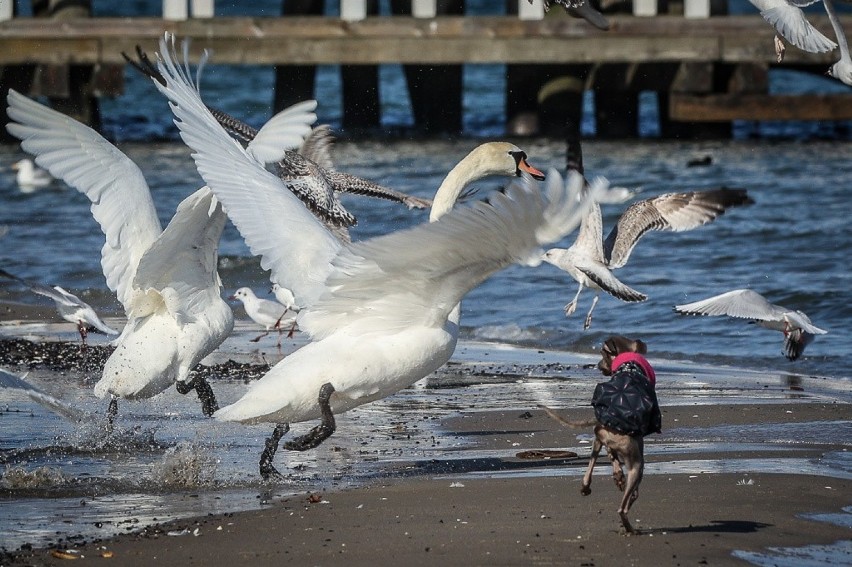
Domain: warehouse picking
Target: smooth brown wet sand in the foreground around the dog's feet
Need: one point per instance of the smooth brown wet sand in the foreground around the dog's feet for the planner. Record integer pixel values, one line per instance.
(511, 518)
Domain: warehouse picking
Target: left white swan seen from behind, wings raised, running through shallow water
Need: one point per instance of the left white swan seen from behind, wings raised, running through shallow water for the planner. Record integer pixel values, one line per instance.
(167, 280)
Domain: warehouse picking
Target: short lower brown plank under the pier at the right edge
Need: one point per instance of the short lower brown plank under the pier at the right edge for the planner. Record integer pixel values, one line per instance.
(727, 107)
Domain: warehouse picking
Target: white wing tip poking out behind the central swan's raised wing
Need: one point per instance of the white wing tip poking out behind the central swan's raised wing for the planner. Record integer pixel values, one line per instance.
(286, 130)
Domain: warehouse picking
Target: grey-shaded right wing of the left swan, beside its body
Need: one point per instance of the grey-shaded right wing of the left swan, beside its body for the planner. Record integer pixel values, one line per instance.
(180, 268)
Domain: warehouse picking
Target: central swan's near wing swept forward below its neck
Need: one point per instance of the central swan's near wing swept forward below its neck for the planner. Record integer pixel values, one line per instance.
(416, 276)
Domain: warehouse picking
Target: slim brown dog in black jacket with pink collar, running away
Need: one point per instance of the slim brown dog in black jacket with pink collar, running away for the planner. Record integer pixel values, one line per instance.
(623, 436)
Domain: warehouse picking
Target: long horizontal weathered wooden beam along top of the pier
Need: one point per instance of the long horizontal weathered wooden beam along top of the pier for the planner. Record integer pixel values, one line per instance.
(376, 40)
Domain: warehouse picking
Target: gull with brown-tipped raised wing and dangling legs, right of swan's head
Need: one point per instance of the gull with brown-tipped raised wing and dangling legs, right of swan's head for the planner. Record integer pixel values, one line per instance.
(590, 260)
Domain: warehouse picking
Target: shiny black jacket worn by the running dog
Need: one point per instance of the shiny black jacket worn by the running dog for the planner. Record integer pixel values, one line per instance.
(628, 402)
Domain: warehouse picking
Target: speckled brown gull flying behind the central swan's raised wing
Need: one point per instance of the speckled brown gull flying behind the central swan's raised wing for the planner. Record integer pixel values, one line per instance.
(309, 172)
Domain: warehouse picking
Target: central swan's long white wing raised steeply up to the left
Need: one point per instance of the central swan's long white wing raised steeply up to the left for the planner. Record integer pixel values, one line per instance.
(276, 226)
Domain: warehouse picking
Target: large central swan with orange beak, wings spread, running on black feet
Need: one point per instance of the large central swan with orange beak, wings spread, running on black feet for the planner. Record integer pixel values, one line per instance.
(382, 313)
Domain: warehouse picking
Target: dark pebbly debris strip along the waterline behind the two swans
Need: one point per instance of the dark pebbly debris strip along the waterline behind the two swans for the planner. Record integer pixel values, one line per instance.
(73, 356)
